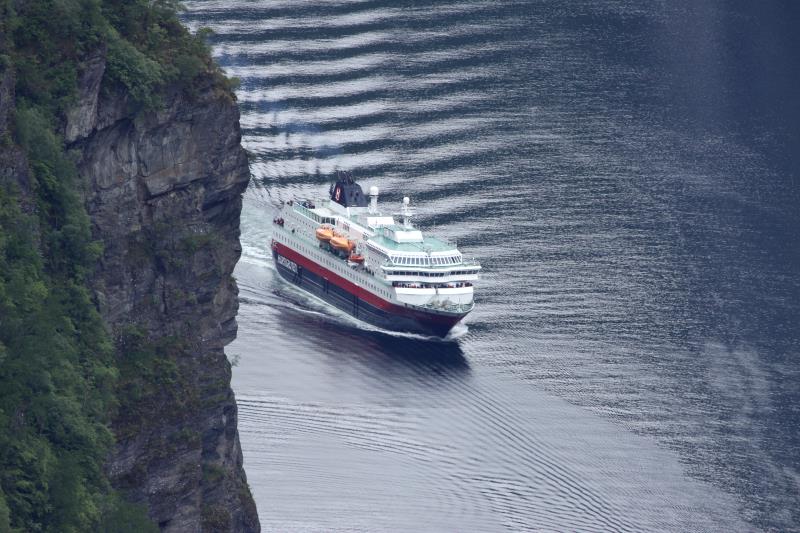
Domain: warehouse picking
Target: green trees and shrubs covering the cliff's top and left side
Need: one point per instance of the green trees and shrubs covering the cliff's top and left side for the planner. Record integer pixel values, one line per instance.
(59, 377)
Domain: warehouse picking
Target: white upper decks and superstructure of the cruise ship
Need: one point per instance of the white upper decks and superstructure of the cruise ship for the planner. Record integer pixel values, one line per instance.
(393, 261)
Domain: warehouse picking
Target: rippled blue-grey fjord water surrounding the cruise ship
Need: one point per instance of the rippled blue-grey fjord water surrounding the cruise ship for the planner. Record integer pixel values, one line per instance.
(627, 174)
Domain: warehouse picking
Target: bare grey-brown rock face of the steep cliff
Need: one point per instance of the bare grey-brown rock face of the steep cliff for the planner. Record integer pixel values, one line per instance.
(163, 190)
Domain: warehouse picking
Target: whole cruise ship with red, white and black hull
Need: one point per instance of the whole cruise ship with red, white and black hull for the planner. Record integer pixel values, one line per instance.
(375, 266)
